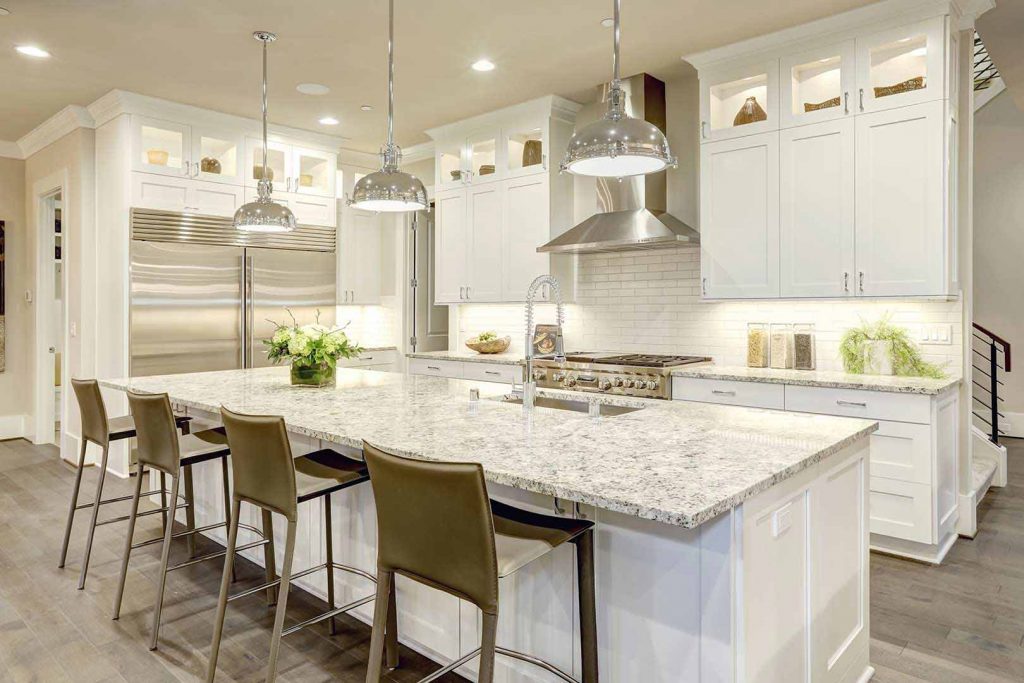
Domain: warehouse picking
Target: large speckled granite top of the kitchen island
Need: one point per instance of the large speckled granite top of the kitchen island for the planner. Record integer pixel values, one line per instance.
(674, 462)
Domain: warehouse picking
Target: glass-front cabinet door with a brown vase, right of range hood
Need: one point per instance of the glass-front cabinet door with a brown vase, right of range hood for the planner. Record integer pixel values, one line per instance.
(740, 101)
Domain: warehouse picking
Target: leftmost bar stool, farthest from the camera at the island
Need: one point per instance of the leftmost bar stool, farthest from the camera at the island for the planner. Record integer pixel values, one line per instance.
(102, 432)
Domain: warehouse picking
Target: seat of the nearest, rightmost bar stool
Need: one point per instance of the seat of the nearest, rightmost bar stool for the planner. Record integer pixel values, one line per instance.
(522, 537)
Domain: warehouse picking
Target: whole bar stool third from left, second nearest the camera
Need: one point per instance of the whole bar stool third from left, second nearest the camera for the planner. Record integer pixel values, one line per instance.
(267, 475)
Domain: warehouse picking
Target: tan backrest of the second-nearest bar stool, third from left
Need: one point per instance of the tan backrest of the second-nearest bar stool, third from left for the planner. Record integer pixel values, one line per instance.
(262, 461)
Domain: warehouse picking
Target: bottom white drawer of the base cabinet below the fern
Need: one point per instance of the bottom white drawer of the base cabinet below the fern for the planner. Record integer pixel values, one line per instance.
(902, 510)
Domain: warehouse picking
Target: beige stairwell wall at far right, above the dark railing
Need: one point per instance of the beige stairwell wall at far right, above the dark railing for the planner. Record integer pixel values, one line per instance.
(999, 233)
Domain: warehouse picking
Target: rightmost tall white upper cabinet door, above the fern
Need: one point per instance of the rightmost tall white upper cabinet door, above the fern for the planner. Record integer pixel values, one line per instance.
(902, 237)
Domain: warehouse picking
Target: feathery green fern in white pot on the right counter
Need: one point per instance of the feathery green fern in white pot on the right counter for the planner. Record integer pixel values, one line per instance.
(883, 349)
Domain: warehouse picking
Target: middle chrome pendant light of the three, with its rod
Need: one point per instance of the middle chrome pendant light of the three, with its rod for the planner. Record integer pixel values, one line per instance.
(390, 189)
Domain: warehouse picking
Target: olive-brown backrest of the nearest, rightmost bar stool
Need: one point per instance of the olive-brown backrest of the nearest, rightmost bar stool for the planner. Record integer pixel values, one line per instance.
(435, 524)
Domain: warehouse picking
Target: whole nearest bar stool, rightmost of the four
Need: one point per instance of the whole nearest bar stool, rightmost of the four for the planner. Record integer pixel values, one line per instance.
(437, 526)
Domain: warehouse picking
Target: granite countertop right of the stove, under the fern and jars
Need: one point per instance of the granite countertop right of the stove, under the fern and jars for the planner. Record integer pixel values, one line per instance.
(835, 380)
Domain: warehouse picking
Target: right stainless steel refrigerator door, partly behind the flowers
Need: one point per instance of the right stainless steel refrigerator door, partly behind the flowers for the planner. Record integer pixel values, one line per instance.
(280, 281)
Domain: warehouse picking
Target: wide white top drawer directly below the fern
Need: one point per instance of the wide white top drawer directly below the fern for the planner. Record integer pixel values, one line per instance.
(860, 404)
